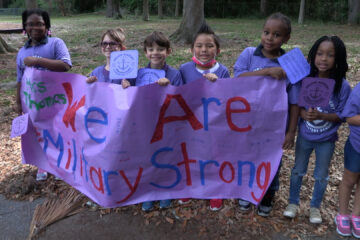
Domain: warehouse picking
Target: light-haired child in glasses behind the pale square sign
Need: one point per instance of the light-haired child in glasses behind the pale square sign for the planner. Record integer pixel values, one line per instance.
(111, 40)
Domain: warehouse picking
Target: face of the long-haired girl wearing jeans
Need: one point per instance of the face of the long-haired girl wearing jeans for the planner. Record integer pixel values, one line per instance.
(325, 58)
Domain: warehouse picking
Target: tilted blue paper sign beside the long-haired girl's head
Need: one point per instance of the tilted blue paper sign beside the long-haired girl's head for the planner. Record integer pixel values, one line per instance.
(295, 65)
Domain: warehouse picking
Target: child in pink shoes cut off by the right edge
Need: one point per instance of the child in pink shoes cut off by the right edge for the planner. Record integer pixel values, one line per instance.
(351, 174)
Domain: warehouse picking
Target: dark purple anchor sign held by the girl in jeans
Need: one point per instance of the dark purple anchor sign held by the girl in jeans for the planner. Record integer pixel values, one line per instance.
(316, 92)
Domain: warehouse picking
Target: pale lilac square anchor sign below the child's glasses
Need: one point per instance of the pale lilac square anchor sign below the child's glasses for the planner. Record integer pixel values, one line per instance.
(124, 64)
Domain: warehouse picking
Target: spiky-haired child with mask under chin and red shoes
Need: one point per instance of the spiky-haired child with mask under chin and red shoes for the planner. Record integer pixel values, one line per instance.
(204, 47)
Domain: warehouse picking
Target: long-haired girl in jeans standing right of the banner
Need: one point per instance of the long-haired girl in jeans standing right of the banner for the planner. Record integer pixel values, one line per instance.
(318, 126)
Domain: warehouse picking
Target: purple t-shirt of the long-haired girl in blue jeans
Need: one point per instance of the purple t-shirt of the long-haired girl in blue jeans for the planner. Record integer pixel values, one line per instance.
(320, 130)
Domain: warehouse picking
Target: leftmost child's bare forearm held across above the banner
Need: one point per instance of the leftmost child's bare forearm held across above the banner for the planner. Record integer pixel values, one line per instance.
(51, 64)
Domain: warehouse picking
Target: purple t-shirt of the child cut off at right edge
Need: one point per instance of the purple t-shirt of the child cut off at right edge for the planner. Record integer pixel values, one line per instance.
(351, 109)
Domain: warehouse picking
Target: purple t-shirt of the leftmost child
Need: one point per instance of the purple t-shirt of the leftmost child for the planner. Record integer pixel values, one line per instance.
(49, 47)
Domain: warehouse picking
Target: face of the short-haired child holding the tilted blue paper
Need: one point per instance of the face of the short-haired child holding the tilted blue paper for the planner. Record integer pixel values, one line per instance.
(274, 35)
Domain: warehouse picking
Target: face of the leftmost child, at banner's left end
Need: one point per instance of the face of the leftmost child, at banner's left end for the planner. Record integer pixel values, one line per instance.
(35, 27)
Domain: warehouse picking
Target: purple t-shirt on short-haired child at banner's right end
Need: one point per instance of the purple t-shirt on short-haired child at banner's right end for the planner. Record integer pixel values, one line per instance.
(252, 59)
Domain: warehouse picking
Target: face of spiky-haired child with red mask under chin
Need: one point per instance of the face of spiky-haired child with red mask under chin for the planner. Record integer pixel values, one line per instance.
(205, 48)
